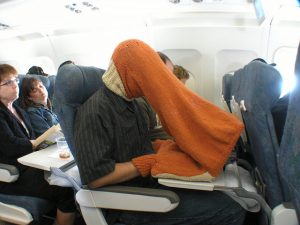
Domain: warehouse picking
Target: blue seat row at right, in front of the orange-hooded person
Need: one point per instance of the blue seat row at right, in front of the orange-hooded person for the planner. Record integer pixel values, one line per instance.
(251, 93)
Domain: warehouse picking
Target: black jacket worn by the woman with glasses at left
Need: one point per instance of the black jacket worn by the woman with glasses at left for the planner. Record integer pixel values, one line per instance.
(15, 141)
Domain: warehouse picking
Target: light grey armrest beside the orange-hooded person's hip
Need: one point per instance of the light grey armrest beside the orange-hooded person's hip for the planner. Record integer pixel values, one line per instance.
(128, 198)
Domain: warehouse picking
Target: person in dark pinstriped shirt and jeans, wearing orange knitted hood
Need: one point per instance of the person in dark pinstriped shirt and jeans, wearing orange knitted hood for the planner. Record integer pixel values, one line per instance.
(113, 147)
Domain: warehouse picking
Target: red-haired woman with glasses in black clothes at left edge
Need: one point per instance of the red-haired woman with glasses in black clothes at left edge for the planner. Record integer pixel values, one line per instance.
(17, 140)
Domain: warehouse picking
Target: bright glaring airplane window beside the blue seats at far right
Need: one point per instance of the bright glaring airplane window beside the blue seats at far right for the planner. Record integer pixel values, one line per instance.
(285, 62)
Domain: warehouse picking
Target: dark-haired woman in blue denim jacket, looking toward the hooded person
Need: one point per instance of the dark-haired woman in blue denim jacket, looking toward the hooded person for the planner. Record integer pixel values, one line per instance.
(34, 99)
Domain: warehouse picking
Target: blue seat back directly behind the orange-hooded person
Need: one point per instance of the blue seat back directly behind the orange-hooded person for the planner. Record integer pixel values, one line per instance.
(74, 85)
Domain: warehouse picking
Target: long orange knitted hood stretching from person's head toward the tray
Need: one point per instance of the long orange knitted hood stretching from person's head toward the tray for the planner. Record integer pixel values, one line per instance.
(200, 129)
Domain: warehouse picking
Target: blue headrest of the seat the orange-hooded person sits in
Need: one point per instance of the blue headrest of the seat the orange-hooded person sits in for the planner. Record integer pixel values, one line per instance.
(75, 84)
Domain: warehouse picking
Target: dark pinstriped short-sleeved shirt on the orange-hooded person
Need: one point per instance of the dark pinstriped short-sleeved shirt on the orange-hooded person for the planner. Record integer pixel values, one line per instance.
(108, 130)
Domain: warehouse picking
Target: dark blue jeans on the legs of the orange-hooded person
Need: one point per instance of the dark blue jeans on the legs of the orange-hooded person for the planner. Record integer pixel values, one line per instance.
(195, 208)
